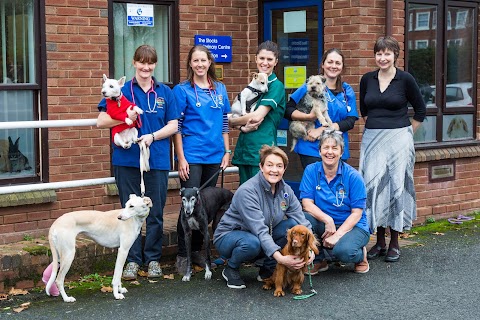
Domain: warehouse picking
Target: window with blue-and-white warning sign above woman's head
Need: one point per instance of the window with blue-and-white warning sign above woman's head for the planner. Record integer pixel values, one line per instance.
(127, 36)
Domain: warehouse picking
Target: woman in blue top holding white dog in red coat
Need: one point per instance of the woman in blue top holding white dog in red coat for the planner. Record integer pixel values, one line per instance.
(159, 122)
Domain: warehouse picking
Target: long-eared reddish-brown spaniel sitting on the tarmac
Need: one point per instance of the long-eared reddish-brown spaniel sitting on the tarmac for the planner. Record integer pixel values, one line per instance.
(300, 240)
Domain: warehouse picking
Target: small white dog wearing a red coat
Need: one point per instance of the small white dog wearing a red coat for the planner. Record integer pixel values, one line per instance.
(124, 134)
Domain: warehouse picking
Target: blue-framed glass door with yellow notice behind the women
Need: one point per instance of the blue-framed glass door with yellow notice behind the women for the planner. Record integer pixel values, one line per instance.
(296, 26)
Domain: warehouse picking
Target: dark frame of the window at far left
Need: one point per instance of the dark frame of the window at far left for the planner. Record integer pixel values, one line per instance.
(39, 103)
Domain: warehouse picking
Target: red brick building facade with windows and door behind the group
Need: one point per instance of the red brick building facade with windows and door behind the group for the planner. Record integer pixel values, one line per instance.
(54, 52)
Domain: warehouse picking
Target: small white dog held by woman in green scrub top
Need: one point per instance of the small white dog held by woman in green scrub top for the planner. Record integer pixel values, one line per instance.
(246, 100)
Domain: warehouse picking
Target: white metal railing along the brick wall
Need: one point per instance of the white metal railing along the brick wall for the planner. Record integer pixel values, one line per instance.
(64, 184)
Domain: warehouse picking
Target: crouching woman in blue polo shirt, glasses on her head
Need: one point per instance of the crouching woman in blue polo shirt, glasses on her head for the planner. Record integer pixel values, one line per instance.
(333, 195)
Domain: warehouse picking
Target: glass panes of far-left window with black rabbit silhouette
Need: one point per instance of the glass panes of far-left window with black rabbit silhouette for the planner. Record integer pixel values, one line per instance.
(19, 89)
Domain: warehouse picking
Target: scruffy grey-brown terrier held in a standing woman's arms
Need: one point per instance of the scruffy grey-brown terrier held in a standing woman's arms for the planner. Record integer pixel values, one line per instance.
(314, 99)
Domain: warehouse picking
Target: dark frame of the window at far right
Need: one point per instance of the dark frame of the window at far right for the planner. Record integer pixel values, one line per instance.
(440, 109)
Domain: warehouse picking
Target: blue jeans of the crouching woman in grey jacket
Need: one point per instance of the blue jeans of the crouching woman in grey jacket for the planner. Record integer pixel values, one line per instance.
(241, 246)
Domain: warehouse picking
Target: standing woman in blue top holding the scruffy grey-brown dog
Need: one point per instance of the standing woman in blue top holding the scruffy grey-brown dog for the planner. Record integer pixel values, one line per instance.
(342, 108)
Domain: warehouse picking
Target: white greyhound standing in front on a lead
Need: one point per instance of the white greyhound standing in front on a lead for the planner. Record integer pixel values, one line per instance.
(112, 229)
